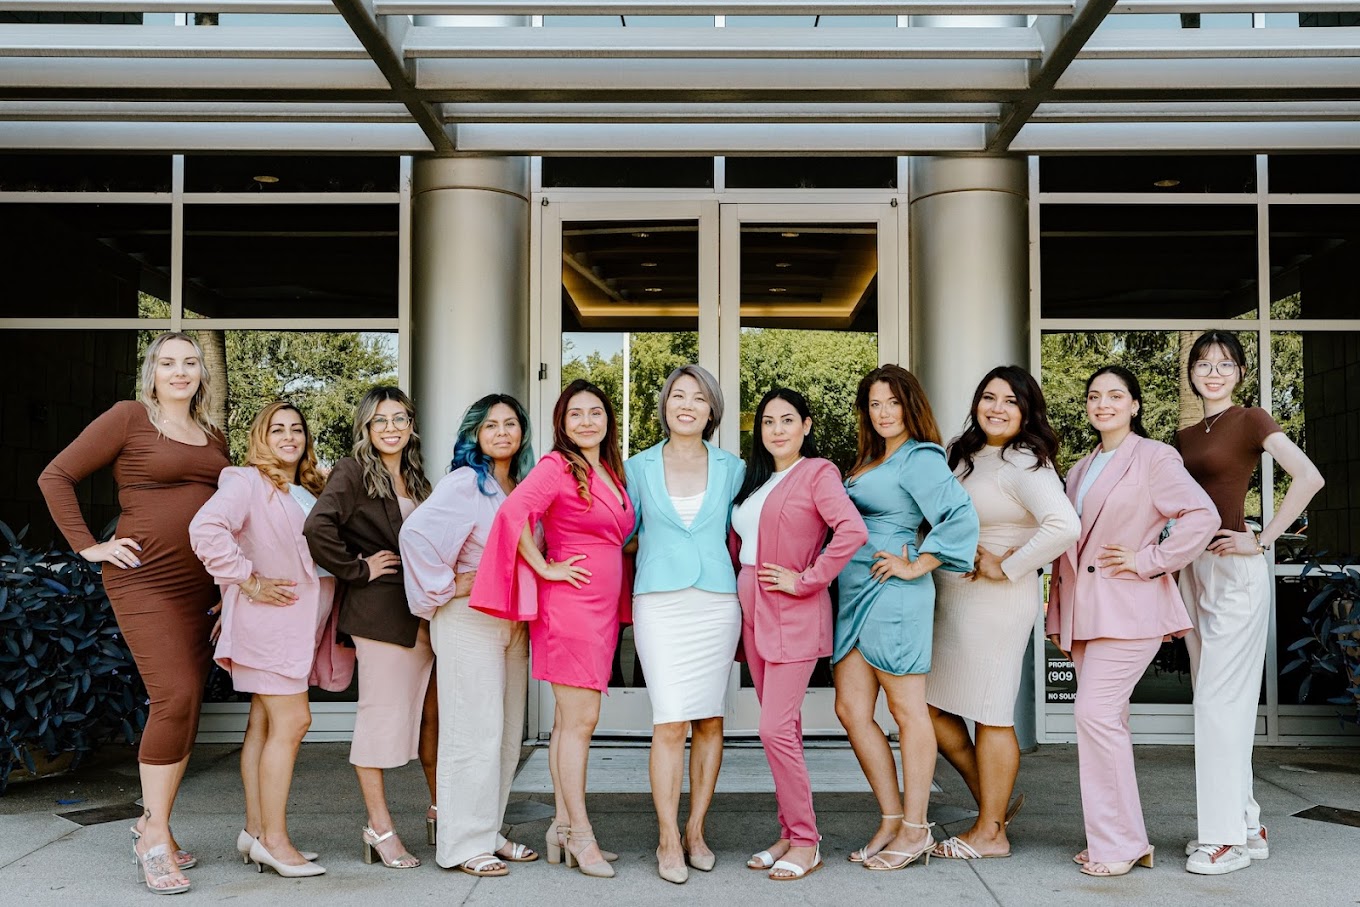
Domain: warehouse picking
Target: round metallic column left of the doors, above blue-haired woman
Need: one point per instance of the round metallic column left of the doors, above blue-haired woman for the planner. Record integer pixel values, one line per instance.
(470, 292)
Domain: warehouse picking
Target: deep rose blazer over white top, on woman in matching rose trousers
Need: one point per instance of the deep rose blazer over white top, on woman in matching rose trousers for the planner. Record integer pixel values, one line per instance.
(794, 534)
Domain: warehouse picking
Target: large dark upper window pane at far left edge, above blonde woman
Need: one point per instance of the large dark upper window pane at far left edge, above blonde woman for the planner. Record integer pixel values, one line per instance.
(85, 260)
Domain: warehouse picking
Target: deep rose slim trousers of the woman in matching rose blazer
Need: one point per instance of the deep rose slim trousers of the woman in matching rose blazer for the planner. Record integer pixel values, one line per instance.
(780, 689)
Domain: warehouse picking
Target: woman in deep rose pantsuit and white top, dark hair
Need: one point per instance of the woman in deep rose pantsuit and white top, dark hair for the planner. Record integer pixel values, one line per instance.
(788, 502)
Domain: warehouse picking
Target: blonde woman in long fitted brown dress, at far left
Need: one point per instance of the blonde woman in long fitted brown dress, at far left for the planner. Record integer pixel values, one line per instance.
(167, 456)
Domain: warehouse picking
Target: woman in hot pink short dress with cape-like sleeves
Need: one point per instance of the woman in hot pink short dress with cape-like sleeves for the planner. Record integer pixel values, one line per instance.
(575, 596)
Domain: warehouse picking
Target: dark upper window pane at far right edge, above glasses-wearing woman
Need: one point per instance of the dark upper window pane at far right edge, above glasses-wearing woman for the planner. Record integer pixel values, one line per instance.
(1314, 271)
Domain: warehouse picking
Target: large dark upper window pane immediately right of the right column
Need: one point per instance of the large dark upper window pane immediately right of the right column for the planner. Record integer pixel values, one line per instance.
(1149, 262)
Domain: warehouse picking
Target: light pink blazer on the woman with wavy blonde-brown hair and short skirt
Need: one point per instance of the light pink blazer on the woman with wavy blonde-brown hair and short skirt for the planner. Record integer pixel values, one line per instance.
(250, 527)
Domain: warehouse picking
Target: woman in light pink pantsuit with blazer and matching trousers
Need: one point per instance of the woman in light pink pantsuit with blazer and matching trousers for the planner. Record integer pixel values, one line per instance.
(1115, 599)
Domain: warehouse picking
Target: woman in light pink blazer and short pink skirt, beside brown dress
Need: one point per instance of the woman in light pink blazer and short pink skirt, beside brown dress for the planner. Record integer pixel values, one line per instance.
(278, 623)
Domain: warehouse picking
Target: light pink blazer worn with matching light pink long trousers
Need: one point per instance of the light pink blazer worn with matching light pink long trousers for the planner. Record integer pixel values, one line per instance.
(1142, 487)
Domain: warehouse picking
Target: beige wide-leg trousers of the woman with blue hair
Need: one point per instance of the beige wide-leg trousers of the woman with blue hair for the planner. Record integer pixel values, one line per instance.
(483, 674)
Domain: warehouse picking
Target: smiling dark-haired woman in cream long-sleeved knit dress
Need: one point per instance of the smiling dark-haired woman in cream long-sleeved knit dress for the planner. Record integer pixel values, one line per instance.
(985, 619)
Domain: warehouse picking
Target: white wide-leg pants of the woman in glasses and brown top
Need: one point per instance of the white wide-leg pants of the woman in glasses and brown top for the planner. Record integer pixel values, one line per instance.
(1229, 599)
